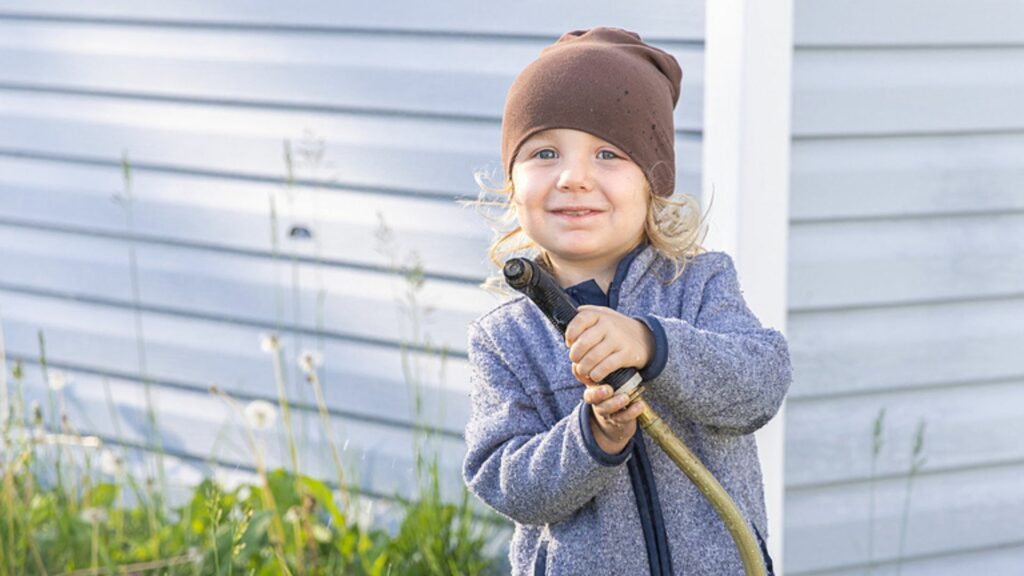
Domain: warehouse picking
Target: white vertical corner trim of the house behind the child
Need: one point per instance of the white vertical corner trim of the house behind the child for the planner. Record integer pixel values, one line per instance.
(748, 85)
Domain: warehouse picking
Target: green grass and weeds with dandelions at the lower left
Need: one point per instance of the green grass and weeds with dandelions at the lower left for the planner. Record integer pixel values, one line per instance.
(285, 523)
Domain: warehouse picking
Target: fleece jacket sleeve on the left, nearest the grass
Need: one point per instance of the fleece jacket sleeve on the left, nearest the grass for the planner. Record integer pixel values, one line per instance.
(515, 463)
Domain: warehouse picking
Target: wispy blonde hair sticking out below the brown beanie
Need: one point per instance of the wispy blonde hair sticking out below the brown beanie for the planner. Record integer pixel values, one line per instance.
(675, 228)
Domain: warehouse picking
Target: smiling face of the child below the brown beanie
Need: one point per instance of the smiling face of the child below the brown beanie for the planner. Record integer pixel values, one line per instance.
(579, 197)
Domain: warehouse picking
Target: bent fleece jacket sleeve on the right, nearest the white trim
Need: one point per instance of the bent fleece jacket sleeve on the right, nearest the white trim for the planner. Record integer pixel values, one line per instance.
(726, 371)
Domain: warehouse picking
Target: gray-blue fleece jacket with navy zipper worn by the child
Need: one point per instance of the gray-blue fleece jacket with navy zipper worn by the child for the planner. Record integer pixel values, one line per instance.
(716, 378)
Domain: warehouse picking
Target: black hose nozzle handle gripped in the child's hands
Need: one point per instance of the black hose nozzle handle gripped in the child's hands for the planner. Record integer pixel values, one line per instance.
(528, 277)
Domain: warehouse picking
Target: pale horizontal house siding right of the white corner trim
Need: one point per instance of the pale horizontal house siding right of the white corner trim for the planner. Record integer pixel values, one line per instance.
(907, 287)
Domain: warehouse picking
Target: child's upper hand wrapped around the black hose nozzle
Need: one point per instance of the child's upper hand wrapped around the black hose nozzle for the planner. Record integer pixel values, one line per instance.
(603, 341)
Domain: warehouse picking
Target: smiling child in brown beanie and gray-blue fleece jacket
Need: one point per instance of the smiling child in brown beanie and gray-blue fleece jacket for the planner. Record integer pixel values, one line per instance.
(588, 154)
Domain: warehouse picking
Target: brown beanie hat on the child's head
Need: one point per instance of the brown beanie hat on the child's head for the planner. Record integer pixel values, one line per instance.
(606, 81)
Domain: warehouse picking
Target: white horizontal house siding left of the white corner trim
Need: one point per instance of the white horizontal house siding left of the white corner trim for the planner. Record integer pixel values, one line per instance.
(200, 98)
